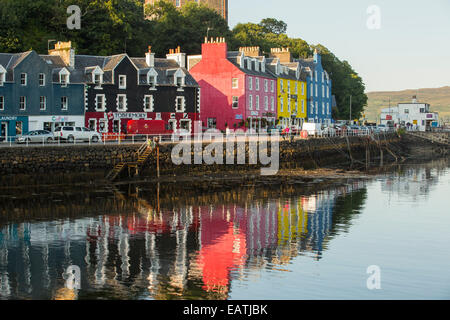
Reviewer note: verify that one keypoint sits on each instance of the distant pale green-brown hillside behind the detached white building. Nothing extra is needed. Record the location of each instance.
(438, 98)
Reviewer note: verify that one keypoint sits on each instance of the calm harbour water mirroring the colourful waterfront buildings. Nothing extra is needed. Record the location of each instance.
(172, 242)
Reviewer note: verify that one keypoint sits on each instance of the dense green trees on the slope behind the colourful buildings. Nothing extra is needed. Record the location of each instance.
(115, 26)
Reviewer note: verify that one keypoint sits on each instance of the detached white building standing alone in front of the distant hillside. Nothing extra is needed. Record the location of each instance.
(415, 115)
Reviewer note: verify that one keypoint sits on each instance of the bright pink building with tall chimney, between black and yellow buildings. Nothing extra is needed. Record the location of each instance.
(236, 89)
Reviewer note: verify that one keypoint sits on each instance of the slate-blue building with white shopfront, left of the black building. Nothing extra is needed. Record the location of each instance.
(38, 92)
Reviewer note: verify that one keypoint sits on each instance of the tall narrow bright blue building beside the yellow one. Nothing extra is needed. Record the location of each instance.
(319, 97)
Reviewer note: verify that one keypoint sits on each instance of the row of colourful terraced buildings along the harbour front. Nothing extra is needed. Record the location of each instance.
(223, 89)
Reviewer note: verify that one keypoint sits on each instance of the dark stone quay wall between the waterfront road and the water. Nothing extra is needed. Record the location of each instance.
(82, 163)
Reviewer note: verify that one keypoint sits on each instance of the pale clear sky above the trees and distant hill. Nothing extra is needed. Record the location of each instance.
(409, 50)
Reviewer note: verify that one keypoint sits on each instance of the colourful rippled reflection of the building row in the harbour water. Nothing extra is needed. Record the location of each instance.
(163, 254)
